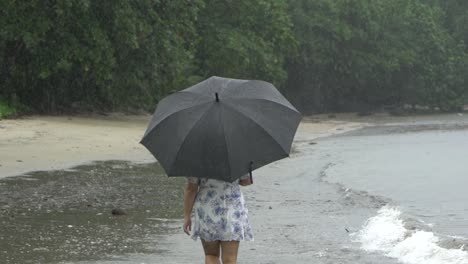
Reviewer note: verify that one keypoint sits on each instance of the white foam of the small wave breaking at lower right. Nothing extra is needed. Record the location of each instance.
(386, 233)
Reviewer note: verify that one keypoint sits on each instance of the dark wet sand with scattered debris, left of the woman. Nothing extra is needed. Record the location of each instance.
(67, 215)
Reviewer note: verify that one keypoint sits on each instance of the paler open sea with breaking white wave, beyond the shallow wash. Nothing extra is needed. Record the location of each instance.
(422, 174)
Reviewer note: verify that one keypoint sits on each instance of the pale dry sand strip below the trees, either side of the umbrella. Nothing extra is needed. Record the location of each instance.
(49, 143)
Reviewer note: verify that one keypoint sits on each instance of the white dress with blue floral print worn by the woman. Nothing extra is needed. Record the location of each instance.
(219, 212)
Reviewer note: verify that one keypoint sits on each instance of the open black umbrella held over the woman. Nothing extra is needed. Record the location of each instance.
(221, 128)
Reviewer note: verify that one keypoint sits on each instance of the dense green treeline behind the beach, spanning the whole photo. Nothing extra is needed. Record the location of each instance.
(325, 55)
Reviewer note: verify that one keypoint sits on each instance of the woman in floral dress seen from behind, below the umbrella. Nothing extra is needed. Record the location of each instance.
(220, 217)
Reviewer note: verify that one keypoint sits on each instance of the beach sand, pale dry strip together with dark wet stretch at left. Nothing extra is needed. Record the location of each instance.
(54, 212)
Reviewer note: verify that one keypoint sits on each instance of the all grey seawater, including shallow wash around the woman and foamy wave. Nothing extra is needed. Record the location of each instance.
(380, 195)
